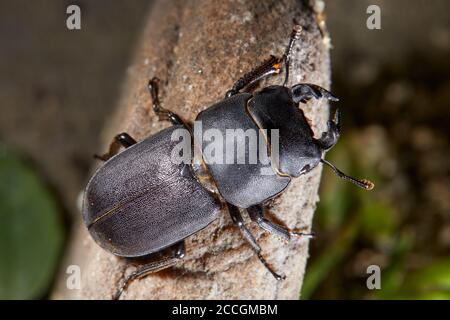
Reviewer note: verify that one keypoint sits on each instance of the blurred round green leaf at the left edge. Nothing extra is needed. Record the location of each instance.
(31, 231)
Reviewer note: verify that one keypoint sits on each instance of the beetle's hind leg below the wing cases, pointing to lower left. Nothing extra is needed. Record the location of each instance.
(178, 252)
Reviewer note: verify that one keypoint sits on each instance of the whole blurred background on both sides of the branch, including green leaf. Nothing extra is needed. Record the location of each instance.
(58, 87)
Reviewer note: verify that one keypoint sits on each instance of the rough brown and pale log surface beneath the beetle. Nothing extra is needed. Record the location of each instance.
(199, 48)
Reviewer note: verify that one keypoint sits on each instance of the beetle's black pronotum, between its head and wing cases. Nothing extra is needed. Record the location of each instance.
(247, 184)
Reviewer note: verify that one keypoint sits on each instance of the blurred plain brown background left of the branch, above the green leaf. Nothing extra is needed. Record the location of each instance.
(59, 86)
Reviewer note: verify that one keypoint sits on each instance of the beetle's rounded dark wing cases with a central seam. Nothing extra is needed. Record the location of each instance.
(140, 202)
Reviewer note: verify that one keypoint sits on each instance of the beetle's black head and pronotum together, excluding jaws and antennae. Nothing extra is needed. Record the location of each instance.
(244, 185)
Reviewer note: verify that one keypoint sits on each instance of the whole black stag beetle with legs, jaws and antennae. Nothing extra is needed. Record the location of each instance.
(140, 202)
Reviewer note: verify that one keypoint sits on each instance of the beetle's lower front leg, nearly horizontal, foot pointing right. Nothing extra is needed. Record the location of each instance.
(256, 214)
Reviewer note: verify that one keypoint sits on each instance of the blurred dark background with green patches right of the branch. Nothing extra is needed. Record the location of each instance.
(394, 86)
